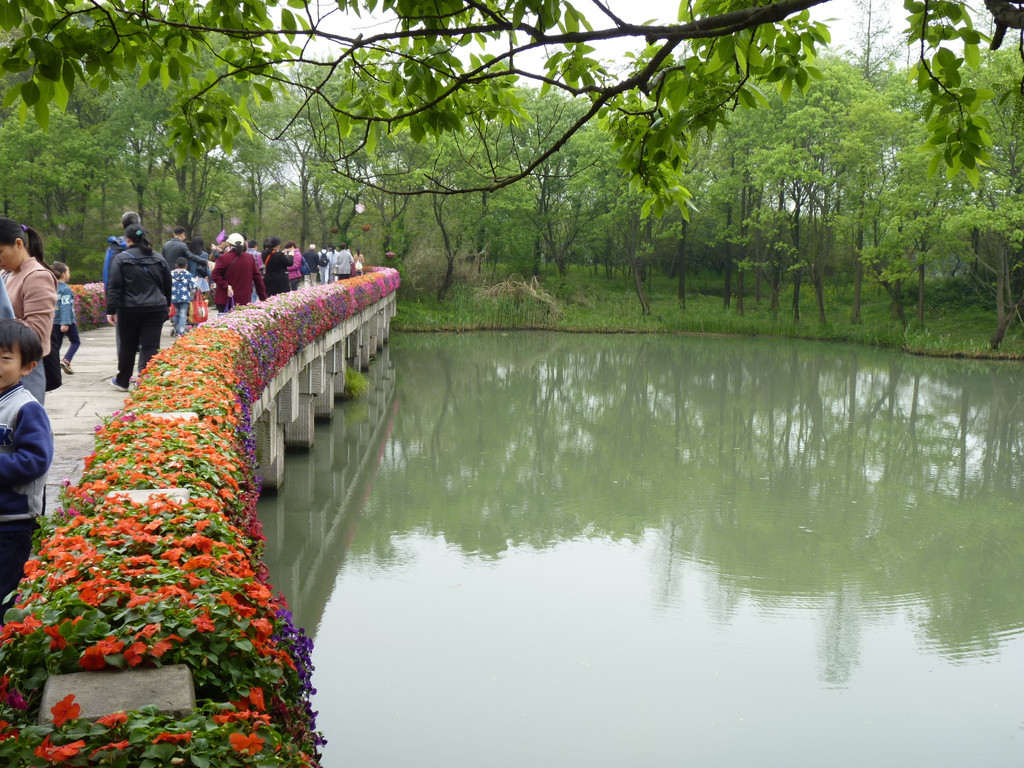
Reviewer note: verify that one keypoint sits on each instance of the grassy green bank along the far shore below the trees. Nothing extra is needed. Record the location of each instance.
(957, 324)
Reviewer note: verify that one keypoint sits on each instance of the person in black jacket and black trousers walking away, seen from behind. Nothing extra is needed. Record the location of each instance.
(138, 303)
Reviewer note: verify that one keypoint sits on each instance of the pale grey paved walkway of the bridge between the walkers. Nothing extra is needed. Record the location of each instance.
(82, 403)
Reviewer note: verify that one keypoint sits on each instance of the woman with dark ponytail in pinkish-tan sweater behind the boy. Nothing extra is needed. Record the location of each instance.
(32, 289)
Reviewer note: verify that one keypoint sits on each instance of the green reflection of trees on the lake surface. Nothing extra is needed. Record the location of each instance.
(850, 480)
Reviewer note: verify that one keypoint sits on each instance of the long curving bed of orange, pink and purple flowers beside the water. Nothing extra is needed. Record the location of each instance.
(125, 585)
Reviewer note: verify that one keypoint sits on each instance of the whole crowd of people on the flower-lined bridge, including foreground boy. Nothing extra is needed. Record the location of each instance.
(144, 288)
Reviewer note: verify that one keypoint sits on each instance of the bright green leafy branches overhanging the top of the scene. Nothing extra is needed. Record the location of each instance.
(228, 58)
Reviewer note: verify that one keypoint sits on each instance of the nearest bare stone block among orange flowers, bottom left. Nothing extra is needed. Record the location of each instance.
(170, 690)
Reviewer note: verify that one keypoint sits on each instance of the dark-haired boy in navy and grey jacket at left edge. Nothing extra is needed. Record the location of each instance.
(26, 453)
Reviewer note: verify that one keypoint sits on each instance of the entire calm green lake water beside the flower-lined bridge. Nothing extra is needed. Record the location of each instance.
(591, 551)
